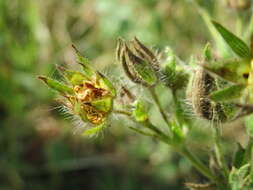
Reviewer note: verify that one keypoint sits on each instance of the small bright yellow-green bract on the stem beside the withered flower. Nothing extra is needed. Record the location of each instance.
(140, 111)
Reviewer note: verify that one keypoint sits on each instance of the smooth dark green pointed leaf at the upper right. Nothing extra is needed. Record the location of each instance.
(235, 43)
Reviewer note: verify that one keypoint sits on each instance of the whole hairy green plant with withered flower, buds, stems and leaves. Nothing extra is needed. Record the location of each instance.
(214, 89)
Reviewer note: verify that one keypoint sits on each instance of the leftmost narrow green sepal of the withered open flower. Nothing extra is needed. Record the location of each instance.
(56, 85)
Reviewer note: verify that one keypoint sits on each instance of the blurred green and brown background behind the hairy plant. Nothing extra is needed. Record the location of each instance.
(40, 148)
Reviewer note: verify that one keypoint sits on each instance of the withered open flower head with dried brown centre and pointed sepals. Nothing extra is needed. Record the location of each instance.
(88, 94)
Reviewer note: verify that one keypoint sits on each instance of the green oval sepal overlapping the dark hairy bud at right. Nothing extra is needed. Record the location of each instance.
(228, 93)
